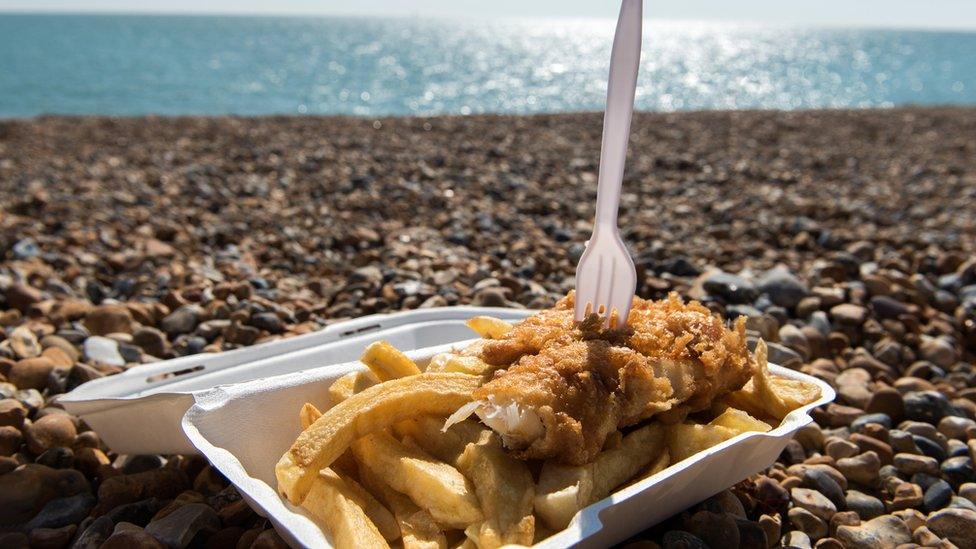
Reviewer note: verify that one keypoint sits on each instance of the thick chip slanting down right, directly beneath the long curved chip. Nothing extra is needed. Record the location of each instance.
(433, 485)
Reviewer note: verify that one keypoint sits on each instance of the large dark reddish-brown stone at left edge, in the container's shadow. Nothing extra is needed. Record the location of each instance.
(25, 490)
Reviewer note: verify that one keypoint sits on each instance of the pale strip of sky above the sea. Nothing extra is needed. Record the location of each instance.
(960, 14)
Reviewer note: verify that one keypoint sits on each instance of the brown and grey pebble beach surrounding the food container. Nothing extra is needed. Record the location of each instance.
(847, 239)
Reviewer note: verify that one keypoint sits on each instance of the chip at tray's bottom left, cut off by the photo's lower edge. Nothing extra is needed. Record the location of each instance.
(336, 506)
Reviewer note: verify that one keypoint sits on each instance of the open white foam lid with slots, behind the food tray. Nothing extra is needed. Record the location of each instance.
(139, 411)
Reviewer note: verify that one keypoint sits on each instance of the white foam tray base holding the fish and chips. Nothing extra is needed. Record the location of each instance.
(244, 429)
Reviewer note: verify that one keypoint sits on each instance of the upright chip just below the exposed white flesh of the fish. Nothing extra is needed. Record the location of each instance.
(505, 489)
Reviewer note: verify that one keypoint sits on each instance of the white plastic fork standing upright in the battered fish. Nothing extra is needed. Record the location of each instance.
(605, 277)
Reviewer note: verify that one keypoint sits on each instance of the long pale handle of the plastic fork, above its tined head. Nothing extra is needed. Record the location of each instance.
(624, 62)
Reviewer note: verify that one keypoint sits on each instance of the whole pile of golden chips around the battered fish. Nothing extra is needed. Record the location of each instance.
(431, 488)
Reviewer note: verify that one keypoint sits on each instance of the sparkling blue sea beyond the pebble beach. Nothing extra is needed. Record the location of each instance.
(133, 65)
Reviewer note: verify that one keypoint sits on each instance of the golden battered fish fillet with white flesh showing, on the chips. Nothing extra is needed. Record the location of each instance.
(562, 387)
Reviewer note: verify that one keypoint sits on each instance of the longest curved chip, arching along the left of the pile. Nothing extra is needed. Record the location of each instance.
(372, 410)
